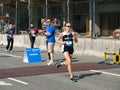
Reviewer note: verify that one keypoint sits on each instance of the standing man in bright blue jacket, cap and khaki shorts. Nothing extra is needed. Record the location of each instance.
(50, 40)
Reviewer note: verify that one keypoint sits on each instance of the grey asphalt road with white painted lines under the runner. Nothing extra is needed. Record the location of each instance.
(88, 79)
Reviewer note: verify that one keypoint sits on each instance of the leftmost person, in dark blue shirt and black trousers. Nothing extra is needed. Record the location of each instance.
(10, 38)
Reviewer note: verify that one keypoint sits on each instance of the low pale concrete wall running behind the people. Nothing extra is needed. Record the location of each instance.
(86, 46)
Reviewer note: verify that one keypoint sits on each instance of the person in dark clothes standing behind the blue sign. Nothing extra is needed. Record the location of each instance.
(32, 34)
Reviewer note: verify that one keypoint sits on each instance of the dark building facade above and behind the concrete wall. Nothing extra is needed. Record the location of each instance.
(87, 16)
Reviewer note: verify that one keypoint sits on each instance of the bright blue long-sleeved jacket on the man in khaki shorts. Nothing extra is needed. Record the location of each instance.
(50, 30)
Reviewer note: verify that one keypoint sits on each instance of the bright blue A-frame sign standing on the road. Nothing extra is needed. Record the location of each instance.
(32, 55)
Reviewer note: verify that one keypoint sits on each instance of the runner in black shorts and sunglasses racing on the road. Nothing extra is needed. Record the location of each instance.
(67, 36)
